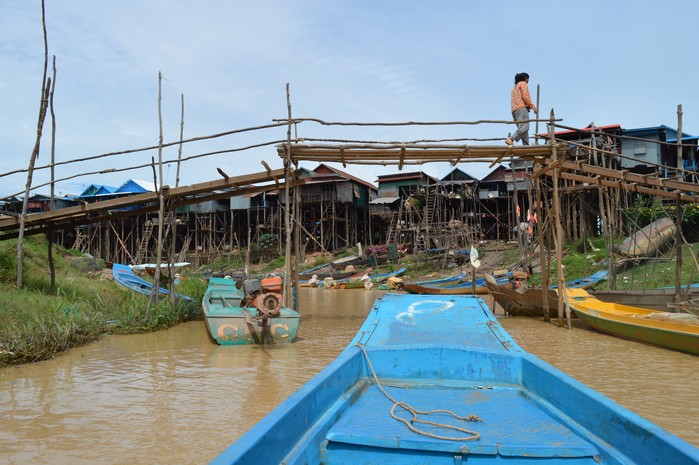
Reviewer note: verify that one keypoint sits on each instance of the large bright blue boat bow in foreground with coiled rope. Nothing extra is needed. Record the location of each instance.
(437, 380)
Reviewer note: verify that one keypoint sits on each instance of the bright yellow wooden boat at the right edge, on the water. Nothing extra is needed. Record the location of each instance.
(679, 331)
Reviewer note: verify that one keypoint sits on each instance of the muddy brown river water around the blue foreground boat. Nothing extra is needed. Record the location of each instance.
(176, 397)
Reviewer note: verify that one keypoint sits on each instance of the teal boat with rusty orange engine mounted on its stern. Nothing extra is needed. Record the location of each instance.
(252, 315)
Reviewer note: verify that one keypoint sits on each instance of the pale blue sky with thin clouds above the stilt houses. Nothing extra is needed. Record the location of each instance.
(622, 62)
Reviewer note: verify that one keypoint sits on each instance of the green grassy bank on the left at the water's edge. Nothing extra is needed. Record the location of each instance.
(37, 322)
